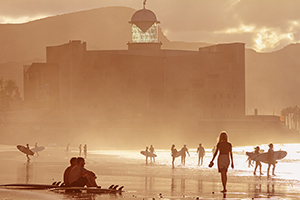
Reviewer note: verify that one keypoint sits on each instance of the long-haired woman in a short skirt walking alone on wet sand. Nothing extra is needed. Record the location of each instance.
(225, 155)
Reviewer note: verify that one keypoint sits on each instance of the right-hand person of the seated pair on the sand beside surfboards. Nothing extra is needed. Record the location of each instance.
(80, 177)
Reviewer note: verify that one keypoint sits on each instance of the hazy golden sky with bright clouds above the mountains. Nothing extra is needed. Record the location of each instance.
(264, 25)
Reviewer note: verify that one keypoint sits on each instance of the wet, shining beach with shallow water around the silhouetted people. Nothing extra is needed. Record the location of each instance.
(156, 180)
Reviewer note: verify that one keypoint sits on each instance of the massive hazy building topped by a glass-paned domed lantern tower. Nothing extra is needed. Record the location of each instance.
(146, 83)
